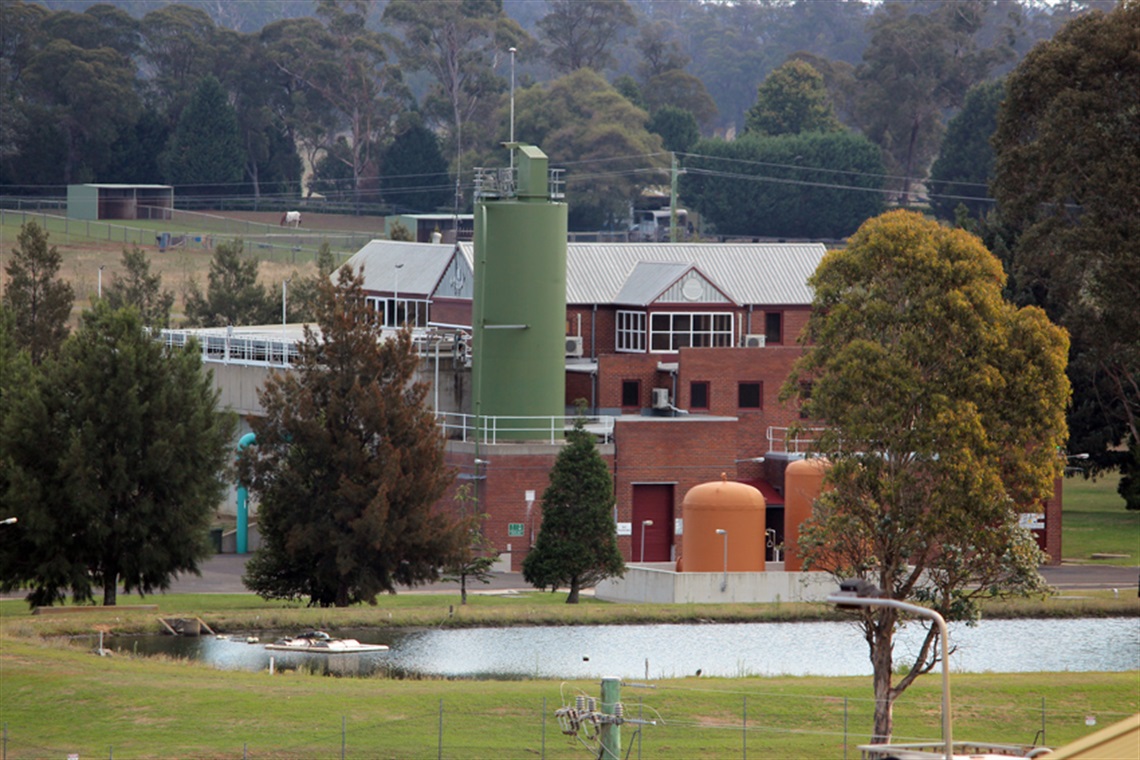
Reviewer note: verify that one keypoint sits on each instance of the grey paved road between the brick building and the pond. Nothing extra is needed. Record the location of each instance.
(223, 574)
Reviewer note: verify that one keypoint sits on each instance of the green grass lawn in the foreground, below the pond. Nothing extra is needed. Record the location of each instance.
(136, 708)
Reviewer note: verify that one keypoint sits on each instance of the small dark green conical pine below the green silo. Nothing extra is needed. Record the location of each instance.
(577, 543)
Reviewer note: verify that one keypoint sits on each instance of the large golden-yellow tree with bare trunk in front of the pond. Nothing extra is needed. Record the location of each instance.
(944, 407)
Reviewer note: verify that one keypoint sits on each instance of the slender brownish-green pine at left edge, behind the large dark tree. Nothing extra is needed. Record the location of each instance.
(40, 303)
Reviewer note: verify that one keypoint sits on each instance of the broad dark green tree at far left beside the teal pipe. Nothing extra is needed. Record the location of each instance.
(113, 461)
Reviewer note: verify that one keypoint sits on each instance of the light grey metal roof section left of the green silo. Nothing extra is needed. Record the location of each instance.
(421, 266)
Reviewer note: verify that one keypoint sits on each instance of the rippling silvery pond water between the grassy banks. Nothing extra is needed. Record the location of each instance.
(652, 652)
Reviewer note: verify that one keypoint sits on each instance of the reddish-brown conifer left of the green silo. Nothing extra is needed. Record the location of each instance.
(348, 465)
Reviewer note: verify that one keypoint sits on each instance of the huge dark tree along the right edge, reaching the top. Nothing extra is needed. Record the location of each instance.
(1069, 157)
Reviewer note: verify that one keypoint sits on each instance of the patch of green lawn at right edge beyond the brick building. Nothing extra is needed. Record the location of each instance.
(1095, 522)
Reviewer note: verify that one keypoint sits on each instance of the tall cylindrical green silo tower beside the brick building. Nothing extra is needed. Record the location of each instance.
(519, 309)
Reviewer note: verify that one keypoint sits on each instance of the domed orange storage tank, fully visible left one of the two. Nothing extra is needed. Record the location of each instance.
(734, 508)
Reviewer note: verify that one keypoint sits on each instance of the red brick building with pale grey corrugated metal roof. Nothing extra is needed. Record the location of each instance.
(679, 352)
